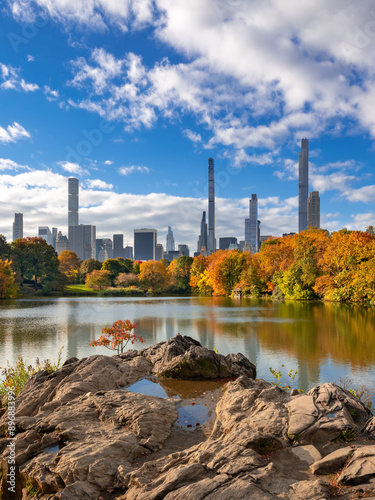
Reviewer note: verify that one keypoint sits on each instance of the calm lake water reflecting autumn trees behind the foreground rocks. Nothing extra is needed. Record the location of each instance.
(323, 341)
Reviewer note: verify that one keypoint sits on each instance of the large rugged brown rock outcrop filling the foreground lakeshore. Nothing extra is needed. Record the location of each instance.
(80, 435)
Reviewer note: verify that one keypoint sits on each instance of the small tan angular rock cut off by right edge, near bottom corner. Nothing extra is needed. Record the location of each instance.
(361, 468)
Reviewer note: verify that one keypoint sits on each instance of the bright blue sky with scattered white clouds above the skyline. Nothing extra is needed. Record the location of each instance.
(133, 96)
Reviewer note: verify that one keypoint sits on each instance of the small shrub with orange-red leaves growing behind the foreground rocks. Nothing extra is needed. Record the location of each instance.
(117, 337)
